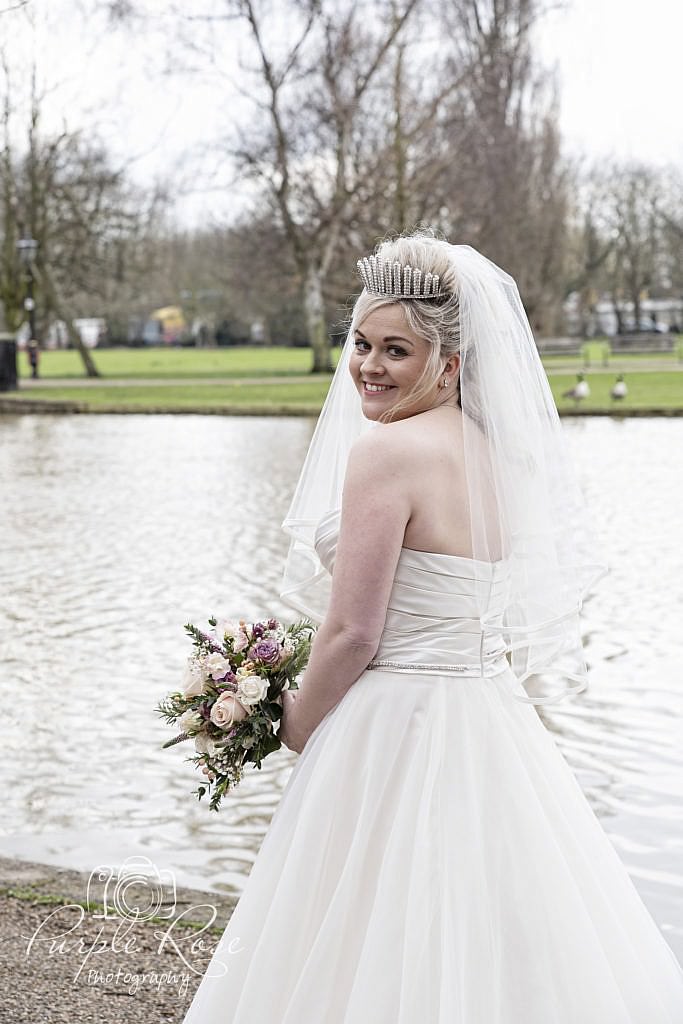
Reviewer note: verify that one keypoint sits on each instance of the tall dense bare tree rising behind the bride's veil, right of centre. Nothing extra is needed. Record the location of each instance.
(503, 184)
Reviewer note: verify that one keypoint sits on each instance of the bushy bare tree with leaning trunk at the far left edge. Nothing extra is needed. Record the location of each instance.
(63, 191)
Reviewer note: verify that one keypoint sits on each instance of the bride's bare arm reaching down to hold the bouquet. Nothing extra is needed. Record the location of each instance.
(376, 508)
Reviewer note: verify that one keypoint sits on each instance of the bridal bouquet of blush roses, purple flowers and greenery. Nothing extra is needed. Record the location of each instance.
(232, 695)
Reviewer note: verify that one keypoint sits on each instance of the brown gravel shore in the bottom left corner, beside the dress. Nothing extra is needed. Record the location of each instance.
(73, 950)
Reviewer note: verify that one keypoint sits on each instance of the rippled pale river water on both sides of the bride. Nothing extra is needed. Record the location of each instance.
(119, 530)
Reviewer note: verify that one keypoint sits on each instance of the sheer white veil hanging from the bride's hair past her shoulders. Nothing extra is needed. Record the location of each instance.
(526, 504)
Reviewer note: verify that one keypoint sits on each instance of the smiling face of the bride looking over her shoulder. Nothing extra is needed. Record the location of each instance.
(387, 363)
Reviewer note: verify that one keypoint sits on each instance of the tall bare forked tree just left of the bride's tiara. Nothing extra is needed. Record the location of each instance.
(312, 97)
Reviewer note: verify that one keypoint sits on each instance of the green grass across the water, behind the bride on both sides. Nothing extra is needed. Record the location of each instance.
(275, 381)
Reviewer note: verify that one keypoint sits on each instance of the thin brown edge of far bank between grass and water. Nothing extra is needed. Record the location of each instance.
(32, 406)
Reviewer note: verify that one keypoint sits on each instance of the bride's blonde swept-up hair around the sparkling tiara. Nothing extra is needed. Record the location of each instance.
(438, 321)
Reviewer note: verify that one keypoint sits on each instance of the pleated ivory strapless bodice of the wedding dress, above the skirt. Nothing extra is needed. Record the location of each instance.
(433, 618)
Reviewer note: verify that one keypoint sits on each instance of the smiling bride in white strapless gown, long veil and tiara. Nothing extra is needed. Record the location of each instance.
(434, 860)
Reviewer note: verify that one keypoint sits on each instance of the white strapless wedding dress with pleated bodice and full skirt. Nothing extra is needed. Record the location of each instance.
(434, 860)
